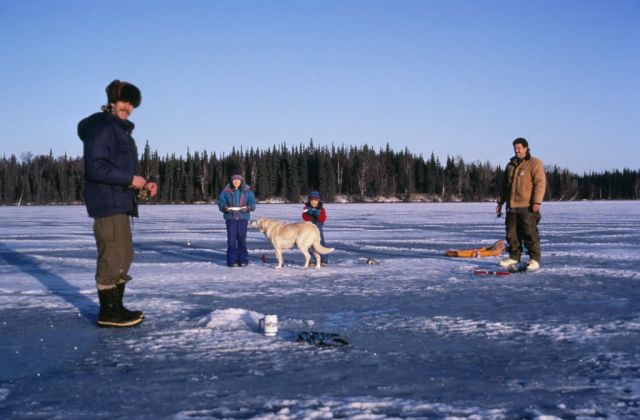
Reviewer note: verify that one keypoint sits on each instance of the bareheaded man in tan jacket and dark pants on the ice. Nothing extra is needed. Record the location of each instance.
(523, 191)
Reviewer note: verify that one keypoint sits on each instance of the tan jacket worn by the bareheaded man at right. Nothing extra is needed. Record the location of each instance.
(524, 183)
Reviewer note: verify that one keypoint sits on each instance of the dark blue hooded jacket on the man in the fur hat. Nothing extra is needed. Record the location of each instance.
(110, 162)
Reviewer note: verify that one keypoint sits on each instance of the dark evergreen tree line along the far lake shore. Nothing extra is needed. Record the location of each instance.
(283, 173)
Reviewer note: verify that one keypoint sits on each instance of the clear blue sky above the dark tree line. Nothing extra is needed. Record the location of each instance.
(453, 77)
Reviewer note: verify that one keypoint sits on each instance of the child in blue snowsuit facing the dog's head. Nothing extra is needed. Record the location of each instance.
(236, 201)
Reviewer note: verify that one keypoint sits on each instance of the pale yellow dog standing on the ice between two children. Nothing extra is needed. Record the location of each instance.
(284, 236)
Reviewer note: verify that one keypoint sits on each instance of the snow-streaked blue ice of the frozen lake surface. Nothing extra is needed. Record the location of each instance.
(429, 338)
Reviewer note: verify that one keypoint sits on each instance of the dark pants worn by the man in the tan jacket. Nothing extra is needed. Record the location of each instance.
(522, 228)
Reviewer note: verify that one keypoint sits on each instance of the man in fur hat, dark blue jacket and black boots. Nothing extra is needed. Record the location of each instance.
(111, 188)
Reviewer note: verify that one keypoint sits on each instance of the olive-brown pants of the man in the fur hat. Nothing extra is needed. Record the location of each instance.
(115, 250)
